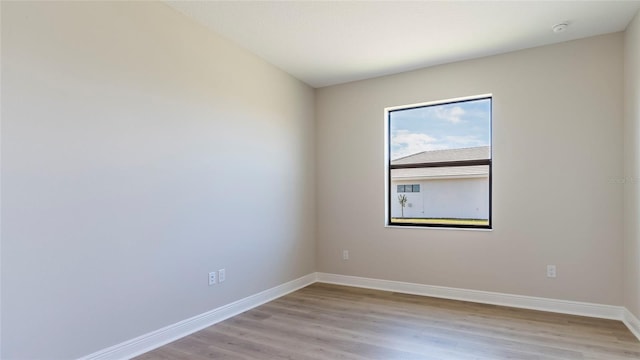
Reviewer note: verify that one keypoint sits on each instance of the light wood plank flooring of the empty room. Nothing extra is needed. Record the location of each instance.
(325, 321)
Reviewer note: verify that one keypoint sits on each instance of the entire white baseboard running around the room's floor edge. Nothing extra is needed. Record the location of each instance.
(155, 339)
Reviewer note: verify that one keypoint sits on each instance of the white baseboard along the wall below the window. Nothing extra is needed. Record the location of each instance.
(483, 297)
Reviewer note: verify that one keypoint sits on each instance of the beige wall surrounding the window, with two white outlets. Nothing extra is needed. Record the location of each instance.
(557, 150)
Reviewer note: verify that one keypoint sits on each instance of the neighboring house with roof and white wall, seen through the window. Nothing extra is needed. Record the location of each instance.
(460, 192)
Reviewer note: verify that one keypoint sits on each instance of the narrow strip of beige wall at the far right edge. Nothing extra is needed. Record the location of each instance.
(632, 169)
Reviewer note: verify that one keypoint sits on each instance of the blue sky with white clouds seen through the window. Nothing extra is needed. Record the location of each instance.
(438, 127)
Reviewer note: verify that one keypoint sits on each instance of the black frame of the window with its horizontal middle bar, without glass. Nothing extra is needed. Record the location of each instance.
(487, 162)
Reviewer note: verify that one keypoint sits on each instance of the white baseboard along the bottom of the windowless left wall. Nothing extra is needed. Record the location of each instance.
(155, 339)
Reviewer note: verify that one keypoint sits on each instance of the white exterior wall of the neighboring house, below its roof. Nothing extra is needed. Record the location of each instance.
(444, 198)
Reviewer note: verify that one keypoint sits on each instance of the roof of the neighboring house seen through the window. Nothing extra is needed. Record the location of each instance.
(473, 153)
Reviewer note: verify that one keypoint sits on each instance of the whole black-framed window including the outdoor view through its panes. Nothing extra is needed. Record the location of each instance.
(438, 164)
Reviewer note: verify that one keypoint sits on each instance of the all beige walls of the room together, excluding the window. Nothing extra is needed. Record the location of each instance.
(140, 151)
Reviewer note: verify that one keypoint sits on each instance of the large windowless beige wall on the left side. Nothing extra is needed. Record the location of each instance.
(140, 152)
